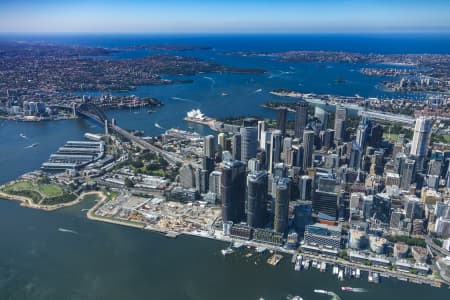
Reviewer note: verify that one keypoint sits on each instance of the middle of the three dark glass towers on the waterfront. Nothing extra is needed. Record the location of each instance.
(257, 199)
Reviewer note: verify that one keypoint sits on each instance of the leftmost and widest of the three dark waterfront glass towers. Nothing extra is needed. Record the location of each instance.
(232, 191)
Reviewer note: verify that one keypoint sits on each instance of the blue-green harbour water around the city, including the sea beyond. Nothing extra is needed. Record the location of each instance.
(92, 260)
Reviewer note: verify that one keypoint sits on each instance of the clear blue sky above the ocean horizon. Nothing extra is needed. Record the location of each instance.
(202, 16)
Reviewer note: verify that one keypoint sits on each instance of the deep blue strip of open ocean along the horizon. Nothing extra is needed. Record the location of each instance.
(364, 43)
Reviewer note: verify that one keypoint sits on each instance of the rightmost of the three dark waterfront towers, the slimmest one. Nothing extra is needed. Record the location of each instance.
(281, 211)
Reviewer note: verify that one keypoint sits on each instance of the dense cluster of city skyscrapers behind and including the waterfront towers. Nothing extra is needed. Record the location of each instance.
(278, 181)
